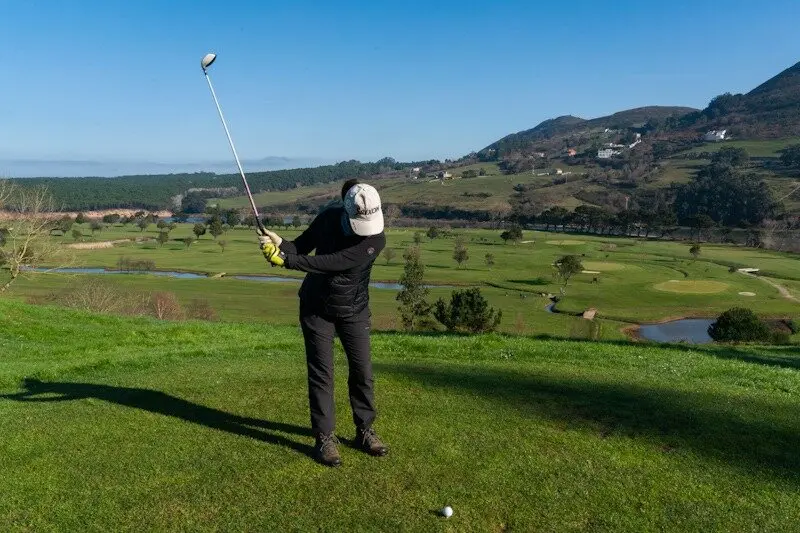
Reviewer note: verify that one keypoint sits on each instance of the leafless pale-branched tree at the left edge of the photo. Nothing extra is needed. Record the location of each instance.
(26, 243)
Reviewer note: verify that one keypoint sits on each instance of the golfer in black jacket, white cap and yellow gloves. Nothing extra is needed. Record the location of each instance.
(334, 299)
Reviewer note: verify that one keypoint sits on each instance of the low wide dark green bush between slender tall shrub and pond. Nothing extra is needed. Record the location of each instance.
(468, 311)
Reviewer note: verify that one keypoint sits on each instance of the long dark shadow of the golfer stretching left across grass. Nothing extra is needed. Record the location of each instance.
(165, 404)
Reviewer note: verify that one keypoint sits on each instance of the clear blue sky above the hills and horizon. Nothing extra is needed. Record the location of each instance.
(120, 80)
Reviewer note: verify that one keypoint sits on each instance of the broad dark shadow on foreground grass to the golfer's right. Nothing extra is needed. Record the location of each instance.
(740, 432)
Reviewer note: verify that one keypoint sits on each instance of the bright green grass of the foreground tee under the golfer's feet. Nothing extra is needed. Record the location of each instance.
(138, 425)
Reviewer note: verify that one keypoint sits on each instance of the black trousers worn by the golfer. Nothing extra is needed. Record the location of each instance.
(318, 333)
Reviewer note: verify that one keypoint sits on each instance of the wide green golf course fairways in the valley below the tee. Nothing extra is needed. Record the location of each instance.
(636, 280)
